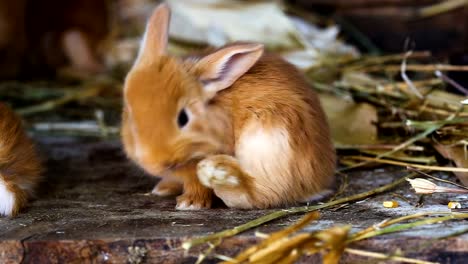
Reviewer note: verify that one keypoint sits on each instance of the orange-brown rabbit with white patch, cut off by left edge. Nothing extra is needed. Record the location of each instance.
(19, 166)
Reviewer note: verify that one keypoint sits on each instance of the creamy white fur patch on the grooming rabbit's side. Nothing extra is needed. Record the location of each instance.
(265, 154)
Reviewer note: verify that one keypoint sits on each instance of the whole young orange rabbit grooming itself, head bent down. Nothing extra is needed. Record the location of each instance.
(237, 122)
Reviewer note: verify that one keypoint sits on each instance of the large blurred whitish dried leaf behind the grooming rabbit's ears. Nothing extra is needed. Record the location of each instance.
(218, 22)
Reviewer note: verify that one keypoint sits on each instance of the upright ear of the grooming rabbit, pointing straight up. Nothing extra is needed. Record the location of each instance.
(154, 42)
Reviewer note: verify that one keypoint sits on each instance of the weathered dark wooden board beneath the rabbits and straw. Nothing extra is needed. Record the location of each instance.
(93, 208)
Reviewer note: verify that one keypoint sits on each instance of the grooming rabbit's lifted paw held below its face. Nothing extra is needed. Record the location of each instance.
(218, 171)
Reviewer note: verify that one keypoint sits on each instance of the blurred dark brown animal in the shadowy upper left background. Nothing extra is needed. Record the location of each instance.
(40, 36)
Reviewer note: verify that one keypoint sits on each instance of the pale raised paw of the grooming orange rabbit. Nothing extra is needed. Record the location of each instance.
(210, 174)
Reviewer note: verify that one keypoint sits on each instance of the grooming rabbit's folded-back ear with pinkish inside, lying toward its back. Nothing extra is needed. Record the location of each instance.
(221, 69)
